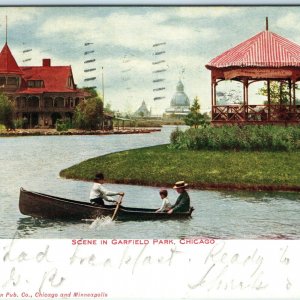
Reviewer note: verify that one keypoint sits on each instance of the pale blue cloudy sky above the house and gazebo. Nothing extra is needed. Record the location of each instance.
(122, 39)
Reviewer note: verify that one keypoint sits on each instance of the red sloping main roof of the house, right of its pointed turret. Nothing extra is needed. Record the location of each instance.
(55, 79)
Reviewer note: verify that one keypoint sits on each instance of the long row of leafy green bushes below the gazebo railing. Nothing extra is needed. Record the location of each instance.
(250, 138)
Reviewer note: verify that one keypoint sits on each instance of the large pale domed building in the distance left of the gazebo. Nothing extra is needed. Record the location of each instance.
(180, 103)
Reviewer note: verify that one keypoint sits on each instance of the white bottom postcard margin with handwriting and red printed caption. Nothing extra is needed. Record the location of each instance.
(197, 268)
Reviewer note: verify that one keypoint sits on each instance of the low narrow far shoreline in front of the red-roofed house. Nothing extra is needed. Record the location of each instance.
(53, 132)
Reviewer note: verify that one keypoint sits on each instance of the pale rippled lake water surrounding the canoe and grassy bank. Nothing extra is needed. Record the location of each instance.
(35, 162)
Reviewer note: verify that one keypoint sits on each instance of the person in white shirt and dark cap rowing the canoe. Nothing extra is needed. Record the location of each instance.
(98, 192)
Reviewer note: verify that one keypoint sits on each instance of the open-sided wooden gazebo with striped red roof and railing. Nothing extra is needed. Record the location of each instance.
(264, 57)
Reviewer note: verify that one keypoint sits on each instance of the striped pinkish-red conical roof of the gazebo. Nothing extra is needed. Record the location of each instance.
(265, 49)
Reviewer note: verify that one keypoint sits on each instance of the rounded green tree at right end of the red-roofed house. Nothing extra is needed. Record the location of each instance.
(88, 114)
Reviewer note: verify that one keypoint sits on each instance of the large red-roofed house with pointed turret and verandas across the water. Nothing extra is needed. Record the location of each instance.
(41, 94)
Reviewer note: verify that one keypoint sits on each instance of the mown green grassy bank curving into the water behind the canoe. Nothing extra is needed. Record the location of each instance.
(162, 166)
